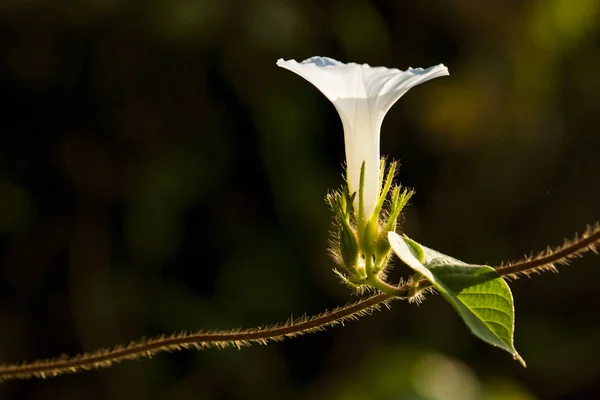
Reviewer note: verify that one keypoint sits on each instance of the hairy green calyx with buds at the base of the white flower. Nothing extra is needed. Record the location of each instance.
(359, 245)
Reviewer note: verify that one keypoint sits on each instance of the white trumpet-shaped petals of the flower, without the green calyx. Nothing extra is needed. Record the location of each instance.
(362, 96)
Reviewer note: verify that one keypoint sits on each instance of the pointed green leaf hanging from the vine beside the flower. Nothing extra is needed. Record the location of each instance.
(477, 292)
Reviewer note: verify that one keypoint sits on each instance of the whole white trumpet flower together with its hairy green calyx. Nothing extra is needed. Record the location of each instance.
(362, 96)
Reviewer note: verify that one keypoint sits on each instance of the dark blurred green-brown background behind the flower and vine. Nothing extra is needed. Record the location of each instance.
(159, 173)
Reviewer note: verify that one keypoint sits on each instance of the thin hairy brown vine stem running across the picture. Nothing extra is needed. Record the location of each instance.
(104, 358)
